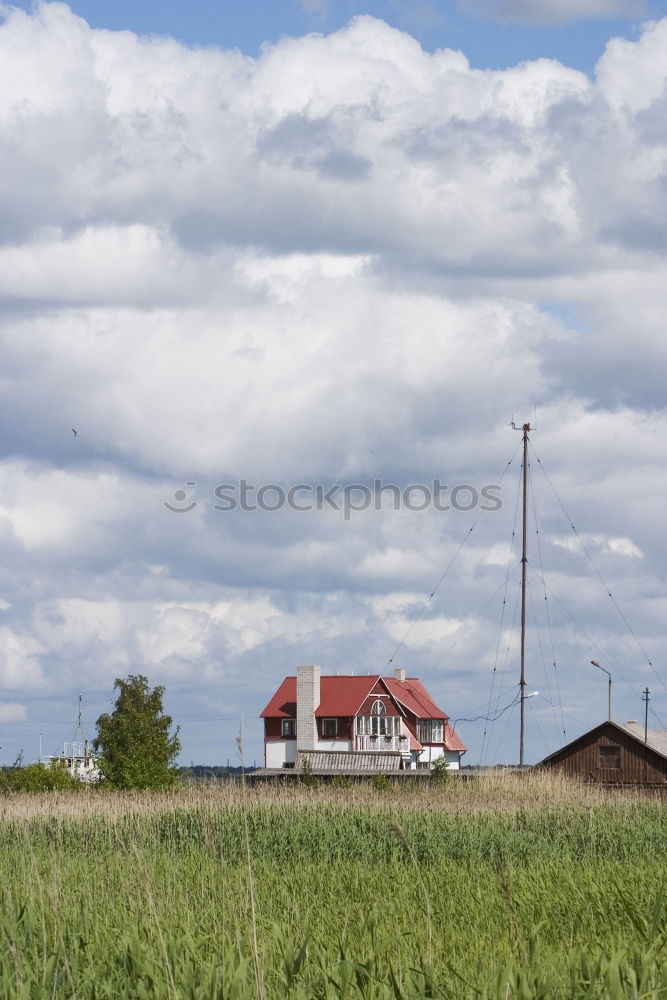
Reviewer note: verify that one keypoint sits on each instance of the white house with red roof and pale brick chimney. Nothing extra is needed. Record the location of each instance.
(356, 724)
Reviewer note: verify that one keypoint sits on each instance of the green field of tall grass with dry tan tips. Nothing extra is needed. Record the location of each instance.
(505, 887)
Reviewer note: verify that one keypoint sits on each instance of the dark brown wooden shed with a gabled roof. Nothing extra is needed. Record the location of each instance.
(614, 753)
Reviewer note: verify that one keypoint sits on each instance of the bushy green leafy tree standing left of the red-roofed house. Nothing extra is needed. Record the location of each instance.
(134, 745)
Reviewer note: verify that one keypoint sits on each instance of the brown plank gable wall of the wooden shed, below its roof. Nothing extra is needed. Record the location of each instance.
(582, 759)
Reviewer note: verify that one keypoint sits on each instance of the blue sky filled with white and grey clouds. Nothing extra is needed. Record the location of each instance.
(327, 246)
